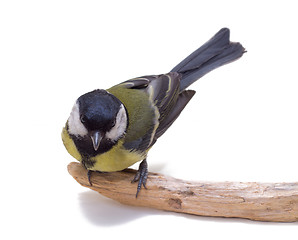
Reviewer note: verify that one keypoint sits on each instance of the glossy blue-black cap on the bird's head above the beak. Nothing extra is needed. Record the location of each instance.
(98, 110)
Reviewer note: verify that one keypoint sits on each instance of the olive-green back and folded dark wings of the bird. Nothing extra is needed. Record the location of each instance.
(155, 105)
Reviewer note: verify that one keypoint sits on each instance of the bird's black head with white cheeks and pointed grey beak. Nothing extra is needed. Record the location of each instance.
(97, 121)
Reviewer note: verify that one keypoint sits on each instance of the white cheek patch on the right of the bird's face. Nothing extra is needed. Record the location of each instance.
(120, 126)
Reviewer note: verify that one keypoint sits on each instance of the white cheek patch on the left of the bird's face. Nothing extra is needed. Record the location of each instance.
(75, 126)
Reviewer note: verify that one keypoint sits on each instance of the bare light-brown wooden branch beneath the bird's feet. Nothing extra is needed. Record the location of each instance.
(276, 202)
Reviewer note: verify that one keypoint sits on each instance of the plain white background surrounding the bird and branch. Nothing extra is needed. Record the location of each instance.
(240, 126)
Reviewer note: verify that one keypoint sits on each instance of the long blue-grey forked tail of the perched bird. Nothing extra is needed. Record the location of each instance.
(216, 52)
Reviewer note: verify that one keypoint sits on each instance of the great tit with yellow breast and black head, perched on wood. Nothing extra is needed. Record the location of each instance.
(110, 130)
